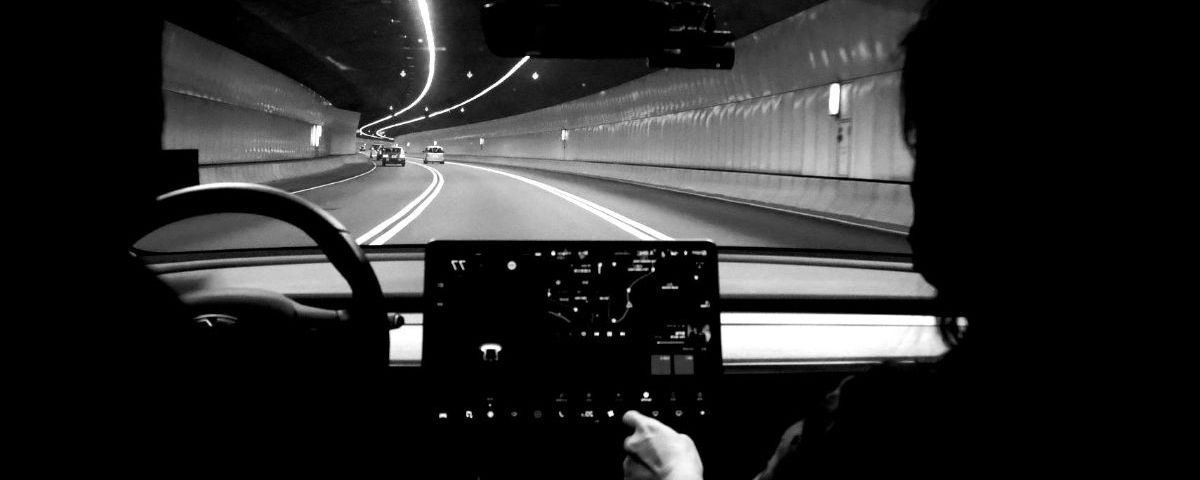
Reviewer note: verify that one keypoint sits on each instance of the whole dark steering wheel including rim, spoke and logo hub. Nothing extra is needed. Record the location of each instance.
(241, 320)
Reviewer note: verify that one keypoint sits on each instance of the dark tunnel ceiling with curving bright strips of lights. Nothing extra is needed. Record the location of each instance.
(353, 52)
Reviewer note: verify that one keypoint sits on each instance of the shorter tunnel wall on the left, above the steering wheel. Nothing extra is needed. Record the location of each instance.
(249, 123)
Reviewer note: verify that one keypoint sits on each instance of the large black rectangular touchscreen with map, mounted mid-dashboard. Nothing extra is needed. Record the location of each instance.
(572, 333)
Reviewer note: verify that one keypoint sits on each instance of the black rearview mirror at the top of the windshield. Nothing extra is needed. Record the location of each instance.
(668, 34)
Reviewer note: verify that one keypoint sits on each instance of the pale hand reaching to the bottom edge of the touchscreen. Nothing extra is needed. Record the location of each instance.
(657, 452)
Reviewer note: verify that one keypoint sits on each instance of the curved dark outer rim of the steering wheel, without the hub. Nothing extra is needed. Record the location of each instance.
(368, 323)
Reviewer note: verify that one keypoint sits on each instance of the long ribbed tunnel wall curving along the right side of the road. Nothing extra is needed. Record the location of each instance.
(760, 133)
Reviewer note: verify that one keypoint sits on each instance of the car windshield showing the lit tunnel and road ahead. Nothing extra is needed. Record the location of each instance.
(797, 147)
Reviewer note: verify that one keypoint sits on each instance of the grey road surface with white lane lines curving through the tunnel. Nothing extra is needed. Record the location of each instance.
(413, 205)
